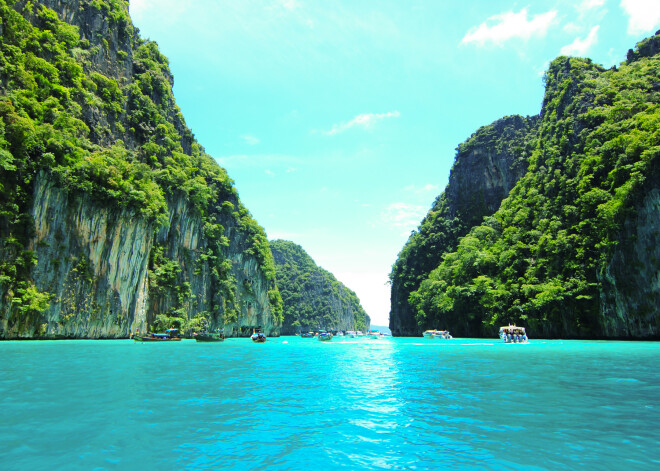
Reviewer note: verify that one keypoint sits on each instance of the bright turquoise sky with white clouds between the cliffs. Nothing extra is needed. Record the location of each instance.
(338, 120)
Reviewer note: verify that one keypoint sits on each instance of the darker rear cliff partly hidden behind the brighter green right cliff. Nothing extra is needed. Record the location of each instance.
(487, 166)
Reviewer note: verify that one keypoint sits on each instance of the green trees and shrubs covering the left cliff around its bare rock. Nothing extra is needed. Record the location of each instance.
(93, 109)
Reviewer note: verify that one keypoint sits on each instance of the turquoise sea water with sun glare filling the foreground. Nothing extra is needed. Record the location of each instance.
(294, 404)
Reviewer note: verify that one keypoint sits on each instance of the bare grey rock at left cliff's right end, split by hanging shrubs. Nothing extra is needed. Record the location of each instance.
(187, 245)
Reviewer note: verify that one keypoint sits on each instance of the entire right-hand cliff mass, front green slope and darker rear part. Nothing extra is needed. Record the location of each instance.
(572, 251)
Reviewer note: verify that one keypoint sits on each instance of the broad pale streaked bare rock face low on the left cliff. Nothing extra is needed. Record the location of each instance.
(94, 263)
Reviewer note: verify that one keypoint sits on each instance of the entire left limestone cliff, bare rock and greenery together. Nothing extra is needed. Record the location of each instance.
(113, 218)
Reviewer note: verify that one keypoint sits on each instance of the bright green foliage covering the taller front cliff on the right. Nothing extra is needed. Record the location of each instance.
(540, 259)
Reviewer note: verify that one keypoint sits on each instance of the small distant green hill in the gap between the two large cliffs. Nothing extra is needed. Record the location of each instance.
(312, 297)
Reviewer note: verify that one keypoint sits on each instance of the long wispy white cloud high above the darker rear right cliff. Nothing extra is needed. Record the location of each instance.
(505, 26)
